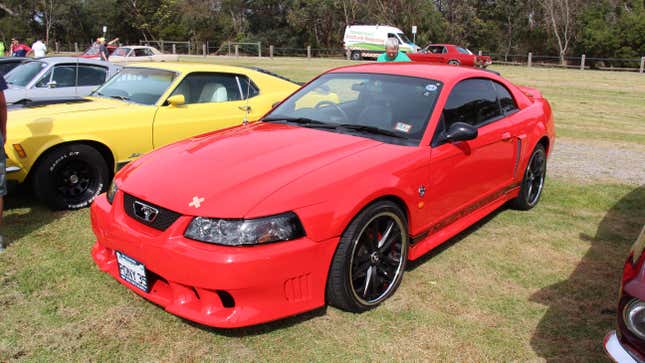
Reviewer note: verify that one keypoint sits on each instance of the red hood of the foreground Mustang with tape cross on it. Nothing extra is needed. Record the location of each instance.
(230, 171)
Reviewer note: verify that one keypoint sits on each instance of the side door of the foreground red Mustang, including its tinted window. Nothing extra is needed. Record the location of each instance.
(470, 174)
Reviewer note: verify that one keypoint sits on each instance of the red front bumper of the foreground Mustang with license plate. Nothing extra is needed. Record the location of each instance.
(219, 286)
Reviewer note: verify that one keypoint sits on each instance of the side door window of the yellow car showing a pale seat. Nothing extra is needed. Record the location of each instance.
(208, 88)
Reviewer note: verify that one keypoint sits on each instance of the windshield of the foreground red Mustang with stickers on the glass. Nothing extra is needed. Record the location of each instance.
(394, 107)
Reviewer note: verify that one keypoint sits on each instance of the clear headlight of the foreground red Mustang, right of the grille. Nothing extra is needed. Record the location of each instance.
(238, 232)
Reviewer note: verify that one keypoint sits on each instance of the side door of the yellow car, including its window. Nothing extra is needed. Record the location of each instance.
(212, 101)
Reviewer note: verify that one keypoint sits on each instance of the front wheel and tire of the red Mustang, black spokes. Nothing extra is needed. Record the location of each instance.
(369, 262)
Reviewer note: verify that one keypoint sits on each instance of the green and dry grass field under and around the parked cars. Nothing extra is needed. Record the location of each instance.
(518, 286)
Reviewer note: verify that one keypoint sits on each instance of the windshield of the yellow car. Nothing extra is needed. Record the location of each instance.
(139, 85)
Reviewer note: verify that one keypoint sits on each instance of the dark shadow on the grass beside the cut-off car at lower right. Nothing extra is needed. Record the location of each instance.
(582, 309)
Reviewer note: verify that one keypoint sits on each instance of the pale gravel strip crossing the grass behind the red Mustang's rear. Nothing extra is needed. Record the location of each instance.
(587, 161)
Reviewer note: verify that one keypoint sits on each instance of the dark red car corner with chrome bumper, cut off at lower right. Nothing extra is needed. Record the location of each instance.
(627, 342)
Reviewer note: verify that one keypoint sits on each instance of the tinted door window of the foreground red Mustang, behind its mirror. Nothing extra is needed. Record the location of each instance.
(473, 101)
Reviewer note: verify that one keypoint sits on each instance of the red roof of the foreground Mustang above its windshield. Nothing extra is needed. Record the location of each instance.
(439, 72)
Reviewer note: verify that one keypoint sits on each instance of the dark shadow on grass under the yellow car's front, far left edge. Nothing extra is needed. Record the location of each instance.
(23, 214)
